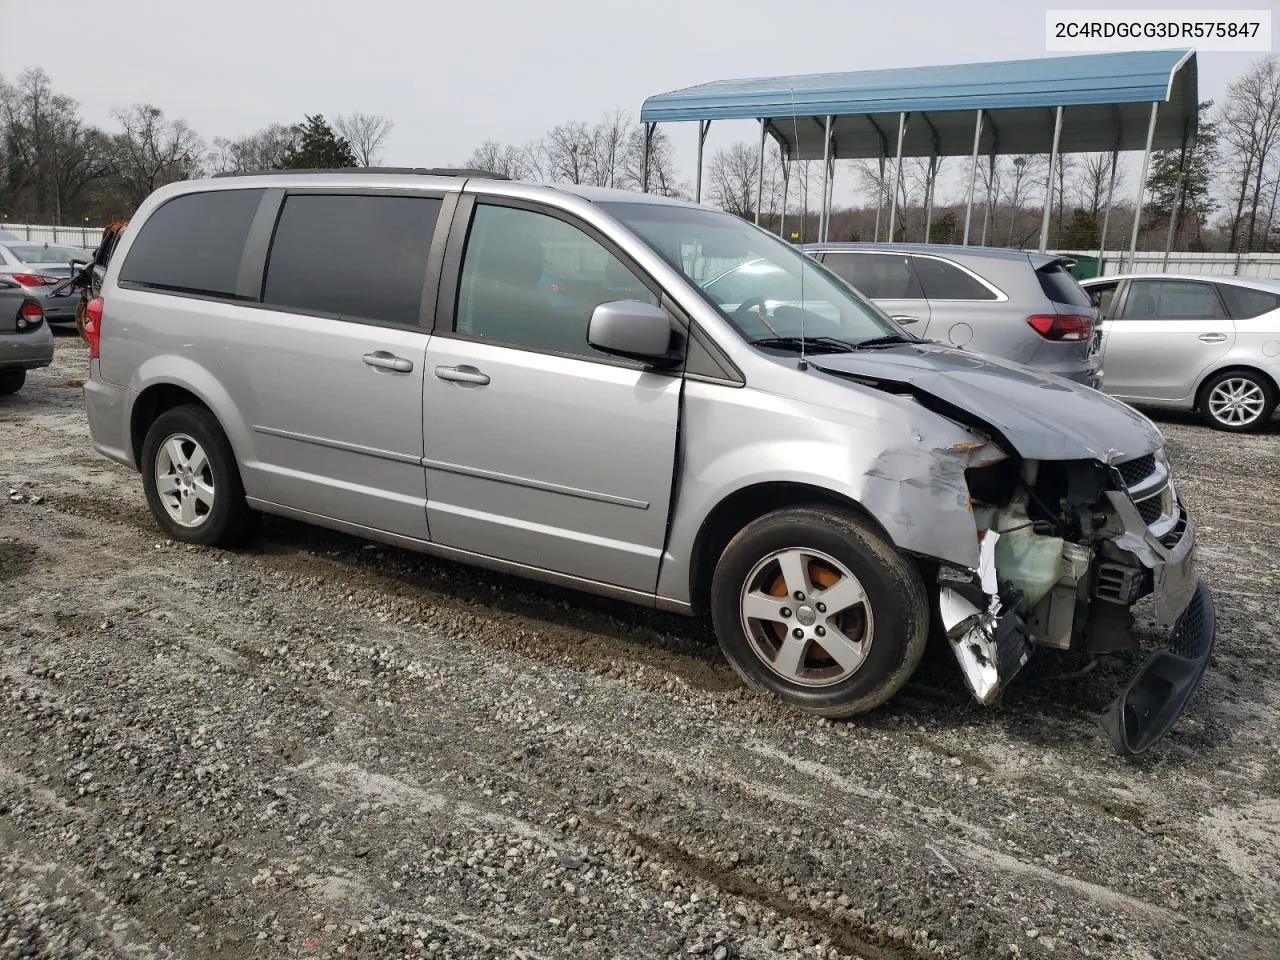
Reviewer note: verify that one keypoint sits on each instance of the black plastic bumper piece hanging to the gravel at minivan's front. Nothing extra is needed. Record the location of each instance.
(1163, 688)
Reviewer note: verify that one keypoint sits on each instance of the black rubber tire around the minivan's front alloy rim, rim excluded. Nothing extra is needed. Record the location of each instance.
(894, 593)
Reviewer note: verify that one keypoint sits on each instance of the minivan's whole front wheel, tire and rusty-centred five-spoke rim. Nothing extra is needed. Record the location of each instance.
(813, 606)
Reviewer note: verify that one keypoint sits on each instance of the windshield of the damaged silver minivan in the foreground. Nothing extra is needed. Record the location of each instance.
(767, 289)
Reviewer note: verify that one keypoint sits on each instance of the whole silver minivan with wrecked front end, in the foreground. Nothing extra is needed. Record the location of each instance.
(545, 381)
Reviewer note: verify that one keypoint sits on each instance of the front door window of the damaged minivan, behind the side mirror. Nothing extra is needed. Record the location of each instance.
(533, 281)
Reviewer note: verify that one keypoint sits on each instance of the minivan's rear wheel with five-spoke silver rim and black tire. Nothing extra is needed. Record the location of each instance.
(191, 479)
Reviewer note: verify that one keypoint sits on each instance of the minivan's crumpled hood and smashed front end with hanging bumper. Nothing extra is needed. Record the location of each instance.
(1077, 519)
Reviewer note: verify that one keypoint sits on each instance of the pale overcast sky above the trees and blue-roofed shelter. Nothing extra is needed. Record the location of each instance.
(452, 75)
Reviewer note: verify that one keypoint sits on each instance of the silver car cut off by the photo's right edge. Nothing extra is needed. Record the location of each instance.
(1208, 344)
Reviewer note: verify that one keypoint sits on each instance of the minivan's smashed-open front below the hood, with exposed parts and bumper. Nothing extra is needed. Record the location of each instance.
(1067, 550)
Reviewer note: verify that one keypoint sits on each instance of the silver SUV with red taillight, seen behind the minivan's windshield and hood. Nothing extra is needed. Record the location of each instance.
(1009, 304)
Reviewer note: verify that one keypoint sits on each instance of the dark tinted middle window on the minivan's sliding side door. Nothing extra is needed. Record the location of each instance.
(359, 257)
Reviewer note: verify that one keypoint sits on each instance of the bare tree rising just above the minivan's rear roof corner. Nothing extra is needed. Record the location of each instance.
(152, 152)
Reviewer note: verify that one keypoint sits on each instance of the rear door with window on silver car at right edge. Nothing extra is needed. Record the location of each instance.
(1163, 337)
